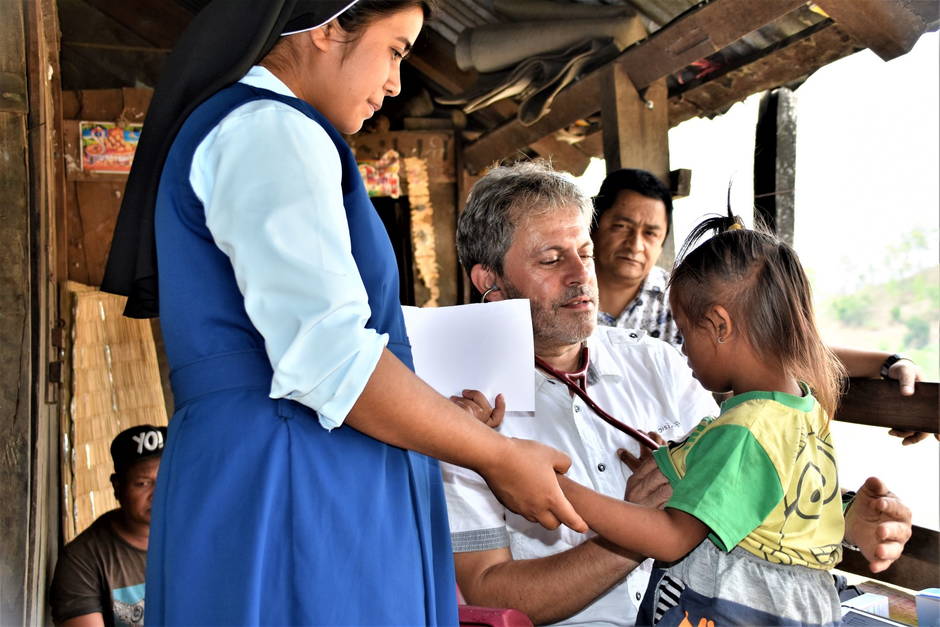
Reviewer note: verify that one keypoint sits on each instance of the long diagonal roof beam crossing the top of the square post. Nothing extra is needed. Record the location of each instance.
(699, 32)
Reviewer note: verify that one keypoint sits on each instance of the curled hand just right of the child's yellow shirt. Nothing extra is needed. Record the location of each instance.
(878, 523)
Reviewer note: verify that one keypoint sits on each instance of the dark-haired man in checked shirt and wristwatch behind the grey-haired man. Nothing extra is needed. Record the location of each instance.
(632, 218)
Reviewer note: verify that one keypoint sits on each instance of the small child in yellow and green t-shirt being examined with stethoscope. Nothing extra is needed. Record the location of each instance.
(755, 520)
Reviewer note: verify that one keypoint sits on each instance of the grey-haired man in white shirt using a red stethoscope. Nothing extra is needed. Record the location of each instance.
(524, 234)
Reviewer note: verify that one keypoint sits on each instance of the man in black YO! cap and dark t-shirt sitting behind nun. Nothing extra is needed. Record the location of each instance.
(99, 578)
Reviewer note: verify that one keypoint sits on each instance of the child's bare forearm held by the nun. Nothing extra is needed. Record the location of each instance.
(666, 535)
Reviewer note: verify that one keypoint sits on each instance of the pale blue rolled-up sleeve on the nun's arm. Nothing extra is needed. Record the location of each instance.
(270, 181)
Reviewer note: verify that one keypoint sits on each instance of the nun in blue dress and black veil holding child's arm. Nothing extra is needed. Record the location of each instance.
(298, 484)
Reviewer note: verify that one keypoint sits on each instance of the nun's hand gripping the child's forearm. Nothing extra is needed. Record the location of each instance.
(523, 478)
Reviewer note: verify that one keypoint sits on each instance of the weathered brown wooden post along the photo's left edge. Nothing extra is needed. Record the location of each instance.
(29, 193)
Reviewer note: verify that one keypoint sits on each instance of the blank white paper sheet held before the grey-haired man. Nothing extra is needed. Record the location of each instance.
(486, 347)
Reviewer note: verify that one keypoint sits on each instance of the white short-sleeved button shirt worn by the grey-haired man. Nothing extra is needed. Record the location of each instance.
(641, 381)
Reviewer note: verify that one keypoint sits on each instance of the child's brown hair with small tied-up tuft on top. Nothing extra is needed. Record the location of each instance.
(759, 280)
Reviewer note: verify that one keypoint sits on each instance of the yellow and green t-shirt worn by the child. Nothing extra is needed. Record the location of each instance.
(762, 476)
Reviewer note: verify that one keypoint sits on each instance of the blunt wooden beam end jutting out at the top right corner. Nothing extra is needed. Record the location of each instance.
(889, 27)
